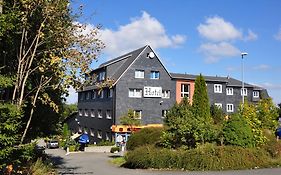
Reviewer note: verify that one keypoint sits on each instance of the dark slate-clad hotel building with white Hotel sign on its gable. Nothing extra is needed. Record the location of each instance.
(142, 83)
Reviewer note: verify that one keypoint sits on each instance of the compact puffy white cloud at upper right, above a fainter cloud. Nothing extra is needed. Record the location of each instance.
(217, 29)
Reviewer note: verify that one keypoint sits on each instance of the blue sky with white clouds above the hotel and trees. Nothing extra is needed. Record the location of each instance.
(195, 36)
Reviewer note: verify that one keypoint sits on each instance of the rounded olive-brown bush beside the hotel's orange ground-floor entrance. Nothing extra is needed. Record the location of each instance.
(144, 137)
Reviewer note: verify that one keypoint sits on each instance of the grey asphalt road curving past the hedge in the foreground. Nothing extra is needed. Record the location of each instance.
(98, 164)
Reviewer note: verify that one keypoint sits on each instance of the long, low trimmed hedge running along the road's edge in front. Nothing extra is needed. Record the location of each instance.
(202, 158)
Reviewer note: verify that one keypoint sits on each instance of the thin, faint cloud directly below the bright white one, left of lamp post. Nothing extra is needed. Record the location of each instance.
(216, 51)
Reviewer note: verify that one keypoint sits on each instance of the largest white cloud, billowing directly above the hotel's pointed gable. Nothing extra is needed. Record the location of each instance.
(144, 30)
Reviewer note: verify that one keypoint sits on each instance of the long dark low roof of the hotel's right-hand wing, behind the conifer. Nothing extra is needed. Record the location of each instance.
(230, 81)
